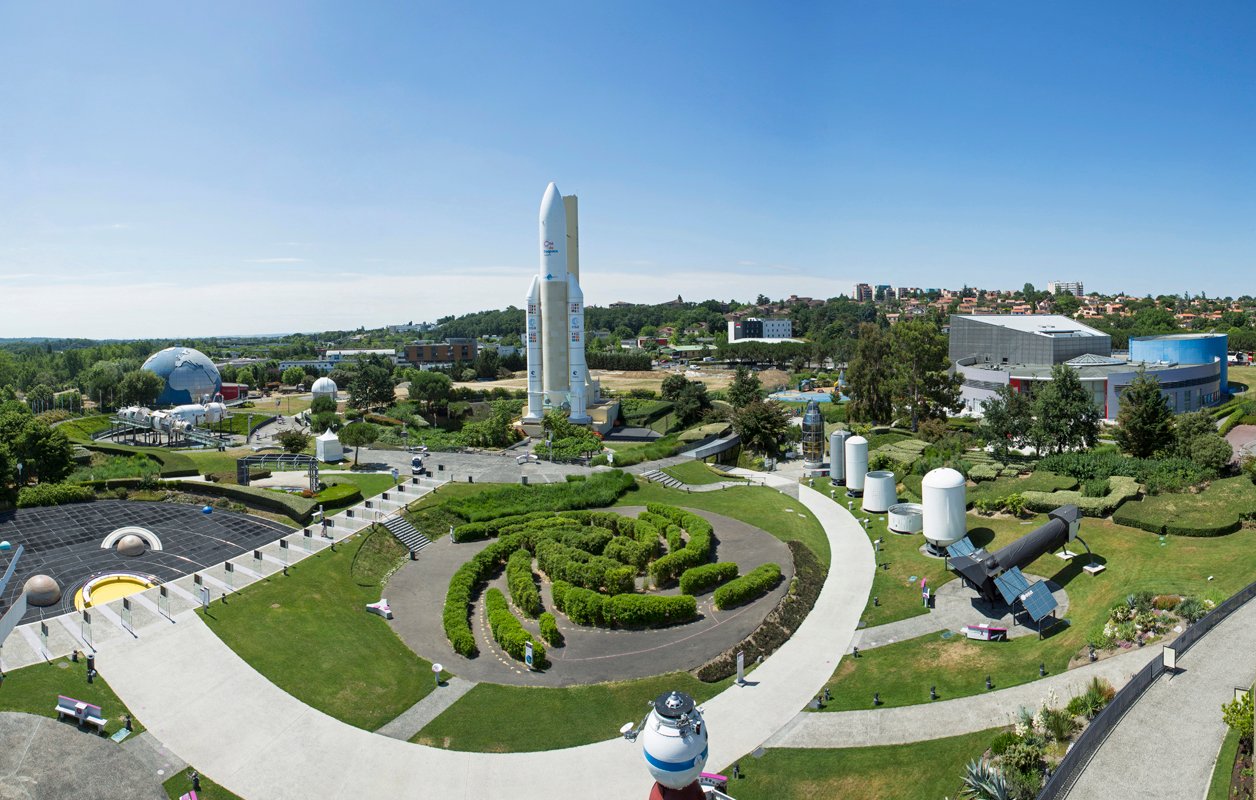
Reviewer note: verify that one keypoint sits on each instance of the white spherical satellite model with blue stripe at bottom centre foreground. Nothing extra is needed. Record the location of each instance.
(675, 742)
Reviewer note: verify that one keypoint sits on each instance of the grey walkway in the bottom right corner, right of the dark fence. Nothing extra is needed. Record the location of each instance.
(1166, 747)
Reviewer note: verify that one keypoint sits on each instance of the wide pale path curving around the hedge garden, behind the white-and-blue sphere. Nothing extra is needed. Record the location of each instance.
(215, 711)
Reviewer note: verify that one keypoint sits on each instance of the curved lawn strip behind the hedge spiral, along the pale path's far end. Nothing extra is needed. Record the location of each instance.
(784, 518)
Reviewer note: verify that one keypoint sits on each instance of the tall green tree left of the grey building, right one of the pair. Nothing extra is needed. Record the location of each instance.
(923, 382)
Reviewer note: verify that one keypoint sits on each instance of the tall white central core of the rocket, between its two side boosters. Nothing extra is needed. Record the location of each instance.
(553, 281)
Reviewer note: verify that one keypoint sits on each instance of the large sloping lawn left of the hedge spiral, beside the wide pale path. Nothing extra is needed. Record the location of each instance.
(310, 635)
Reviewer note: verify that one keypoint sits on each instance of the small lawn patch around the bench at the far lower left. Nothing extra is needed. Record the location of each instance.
(35, 690)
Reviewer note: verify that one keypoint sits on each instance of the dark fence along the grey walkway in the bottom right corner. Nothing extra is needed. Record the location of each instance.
(1083, 750)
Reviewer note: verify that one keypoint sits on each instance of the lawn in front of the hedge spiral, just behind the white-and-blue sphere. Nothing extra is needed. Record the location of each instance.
(516, 719)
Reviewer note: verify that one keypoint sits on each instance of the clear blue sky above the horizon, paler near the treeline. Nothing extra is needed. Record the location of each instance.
(169, 170)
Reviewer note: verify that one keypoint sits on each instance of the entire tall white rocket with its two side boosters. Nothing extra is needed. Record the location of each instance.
(557, 374)
